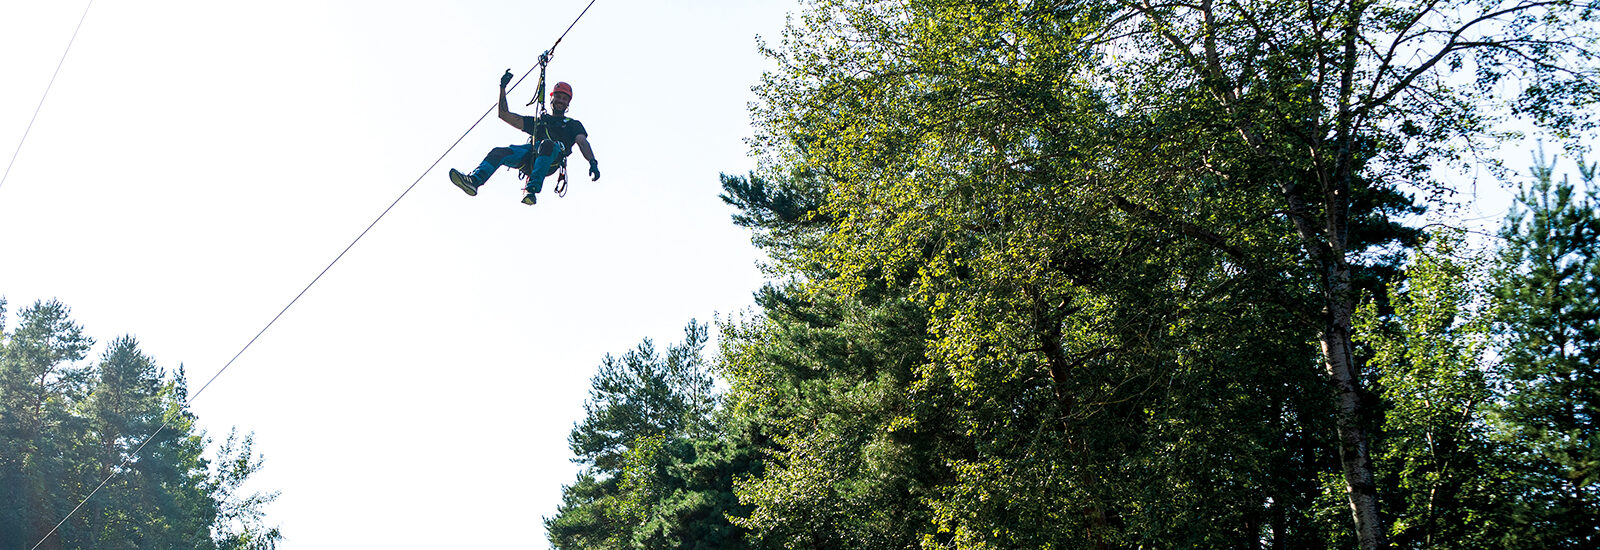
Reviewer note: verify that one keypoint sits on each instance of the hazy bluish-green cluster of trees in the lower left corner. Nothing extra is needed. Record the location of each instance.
(66, 428)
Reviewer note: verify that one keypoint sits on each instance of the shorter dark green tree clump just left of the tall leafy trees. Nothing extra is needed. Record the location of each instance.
(657, 474)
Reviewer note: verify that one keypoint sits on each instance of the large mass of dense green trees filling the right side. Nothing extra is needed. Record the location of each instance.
(1090, 276)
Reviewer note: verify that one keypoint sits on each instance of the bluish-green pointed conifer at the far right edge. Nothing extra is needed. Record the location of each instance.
(1548, 316)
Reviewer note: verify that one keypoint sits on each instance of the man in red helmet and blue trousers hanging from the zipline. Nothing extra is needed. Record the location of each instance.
(553, 138)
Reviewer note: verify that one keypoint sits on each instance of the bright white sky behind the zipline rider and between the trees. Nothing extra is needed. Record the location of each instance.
(199, 162)
